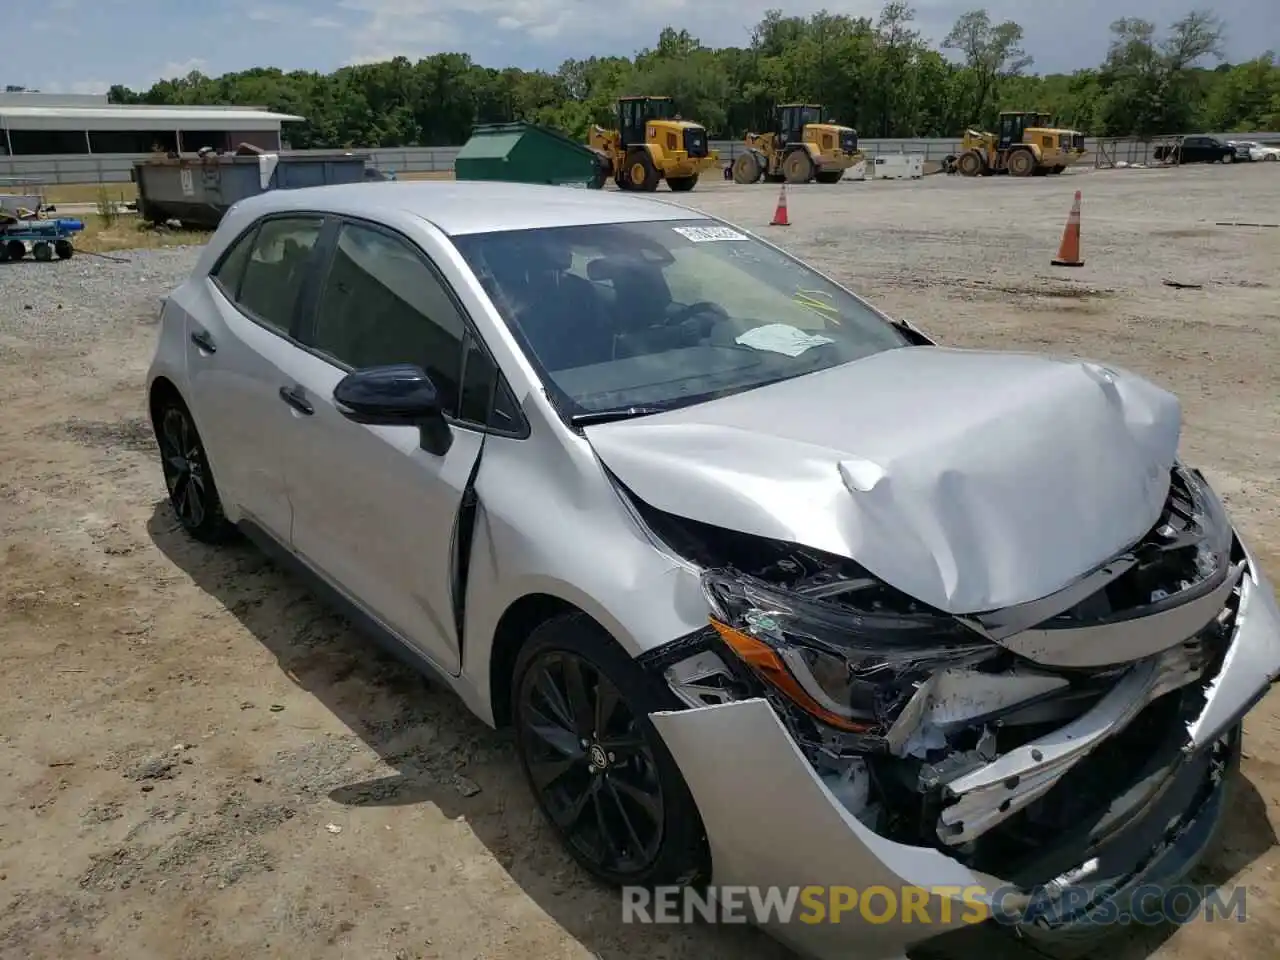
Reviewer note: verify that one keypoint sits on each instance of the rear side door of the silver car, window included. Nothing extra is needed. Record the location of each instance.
(240, 342)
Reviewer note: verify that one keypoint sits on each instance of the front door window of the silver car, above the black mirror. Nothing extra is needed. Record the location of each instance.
(383, 305)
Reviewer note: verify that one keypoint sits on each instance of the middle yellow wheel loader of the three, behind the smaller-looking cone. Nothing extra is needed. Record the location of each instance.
(799, 149)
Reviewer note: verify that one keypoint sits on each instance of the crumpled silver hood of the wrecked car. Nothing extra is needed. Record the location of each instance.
(971, 481)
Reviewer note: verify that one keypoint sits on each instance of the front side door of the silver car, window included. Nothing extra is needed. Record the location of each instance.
(373, 511)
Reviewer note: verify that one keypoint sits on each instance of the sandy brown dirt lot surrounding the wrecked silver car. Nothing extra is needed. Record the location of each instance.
(200, 762)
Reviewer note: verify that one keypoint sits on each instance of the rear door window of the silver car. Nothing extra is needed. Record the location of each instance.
(277, 268)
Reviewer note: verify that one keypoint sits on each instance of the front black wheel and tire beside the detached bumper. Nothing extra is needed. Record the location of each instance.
(604, 778)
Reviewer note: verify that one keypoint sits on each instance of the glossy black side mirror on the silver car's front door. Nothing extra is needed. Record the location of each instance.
(396, 396)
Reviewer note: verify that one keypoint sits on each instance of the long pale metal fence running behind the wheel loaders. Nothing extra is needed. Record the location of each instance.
(116, 168)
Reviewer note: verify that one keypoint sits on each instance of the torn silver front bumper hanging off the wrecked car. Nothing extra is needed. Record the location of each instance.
(774, 820)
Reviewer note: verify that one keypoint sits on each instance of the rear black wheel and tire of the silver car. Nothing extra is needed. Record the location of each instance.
(189, 478)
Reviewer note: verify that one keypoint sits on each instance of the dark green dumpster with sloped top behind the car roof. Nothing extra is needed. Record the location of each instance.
(525, 153)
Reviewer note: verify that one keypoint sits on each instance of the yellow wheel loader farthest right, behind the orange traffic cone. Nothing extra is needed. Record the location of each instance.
(1027, 145)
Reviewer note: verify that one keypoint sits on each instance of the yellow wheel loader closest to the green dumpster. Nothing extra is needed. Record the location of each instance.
(652, 144)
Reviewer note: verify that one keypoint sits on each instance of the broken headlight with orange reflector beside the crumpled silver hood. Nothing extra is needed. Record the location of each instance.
(835, 650)
